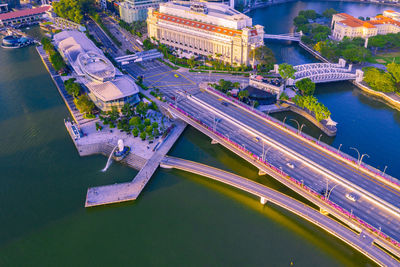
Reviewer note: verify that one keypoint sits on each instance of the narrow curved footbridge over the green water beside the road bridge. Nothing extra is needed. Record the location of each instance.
(361, 241)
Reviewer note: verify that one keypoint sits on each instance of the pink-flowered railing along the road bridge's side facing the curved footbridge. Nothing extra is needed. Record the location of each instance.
(291, 179)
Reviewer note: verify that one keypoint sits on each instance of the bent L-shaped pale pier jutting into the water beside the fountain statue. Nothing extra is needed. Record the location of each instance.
(116, 193)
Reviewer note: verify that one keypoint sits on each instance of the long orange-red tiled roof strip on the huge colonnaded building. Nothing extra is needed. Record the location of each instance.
(198, 25)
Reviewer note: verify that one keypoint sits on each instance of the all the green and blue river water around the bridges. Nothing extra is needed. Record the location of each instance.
(181, 219)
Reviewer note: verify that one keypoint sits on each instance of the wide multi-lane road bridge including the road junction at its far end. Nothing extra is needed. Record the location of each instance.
(296, 160)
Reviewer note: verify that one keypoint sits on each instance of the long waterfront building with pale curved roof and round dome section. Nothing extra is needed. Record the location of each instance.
(107, 86)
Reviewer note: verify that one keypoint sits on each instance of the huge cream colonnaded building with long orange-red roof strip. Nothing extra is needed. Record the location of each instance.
(205, 29)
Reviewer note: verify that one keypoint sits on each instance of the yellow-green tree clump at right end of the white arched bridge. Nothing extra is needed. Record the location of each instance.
(382, 81)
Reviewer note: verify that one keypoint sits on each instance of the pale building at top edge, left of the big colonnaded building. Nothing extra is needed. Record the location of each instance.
(136, 10)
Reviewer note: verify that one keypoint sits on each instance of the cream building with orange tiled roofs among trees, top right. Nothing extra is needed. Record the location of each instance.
(345, 25)
